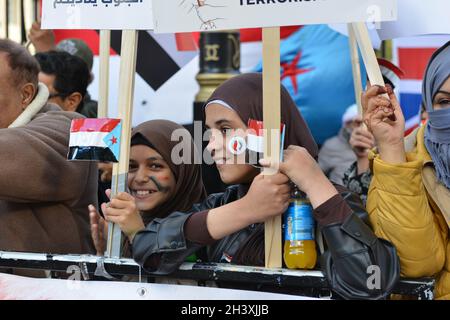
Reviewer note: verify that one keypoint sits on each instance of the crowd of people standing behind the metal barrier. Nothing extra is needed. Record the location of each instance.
(378, 197)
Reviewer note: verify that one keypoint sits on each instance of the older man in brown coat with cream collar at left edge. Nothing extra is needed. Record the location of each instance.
(43, 197)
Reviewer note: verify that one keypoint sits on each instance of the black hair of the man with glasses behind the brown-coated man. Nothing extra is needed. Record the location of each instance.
(71, 73)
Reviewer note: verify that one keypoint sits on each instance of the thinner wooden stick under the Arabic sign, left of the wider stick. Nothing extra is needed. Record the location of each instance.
(105, 47)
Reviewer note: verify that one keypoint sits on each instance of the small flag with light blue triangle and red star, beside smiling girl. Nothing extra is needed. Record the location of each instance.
(95, 140)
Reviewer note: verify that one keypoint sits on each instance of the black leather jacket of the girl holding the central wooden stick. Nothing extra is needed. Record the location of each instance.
(353, 257)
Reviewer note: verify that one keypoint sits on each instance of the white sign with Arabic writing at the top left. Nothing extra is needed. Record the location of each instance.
(97, 14)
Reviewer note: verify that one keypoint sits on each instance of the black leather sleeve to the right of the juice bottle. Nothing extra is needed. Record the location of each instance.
(357, 264)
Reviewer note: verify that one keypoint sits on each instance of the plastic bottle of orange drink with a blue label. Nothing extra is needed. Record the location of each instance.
(300, 245)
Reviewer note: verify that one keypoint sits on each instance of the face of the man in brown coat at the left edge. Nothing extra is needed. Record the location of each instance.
(11, 96)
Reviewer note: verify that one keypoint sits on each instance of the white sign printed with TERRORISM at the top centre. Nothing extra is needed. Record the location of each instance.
(201, 15)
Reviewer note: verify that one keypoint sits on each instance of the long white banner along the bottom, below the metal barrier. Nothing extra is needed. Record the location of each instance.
(20, 288)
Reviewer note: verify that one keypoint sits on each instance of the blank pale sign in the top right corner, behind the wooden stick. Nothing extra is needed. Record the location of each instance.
(418, 17)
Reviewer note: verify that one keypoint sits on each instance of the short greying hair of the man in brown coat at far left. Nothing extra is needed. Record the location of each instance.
(25, 68)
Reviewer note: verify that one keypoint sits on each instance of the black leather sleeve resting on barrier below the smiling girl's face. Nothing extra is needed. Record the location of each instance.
(162, 246)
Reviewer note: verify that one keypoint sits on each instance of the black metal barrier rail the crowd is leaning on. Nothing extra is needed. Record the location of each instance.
(298, 282)
